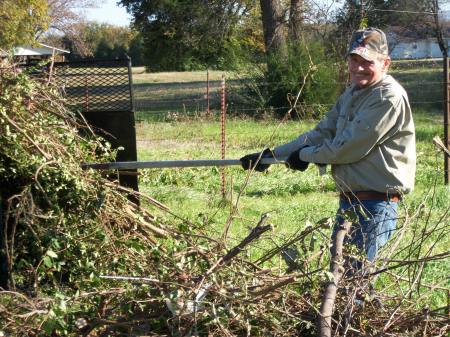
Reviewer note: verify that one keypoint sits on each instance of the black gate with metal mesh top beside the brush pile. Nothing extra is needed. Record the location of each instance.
(103, 91)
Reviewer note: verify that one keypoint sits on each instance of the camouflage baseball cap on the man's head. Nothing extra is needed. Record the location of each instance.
(369, 43)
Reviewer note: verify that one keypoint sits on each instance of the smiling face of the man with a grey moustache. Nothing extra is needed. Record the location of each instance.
(364, 73)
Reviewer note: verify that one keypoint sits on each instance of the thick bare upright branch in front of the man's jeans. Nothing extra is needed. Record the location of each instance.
(336, 269)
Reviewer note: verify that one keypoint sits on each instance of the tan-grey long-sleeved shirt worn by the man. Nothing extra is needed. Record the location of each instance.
(368, 137)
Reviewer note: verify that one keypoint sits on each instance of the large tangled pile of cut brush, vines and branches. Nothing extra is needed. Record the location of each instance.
(78, 258)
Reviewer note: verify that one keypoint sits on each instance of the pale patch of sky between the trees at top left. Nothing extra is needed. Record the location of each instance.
(108, 12)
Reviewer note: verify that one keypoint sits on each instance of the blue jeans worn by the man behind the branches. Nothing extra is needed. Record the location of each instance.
(373, 222)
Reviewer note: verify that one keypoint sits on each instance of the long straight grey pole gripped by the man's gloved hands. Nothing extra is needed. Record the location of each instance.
(132, 165)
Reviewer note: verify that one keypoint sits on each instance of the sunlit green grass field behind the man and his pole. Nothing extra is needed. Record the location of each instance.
(293, 200)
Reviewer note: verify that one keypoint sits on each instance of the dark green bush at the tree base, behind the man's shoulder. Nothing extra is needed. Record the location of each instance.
(306, 70)
